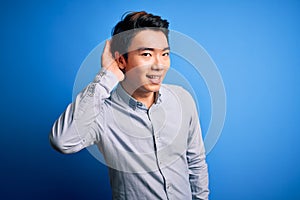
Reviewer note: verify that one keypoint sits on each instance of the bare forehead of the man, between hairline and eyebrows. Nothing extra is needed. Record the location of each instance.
(149, 39)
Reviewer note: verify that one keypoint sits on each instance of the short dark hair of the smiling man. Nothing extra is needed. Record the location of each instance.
(131, 23)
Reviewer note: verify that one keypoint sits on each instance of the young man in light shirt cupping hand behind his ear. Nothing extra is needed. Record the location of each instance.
(148, 132)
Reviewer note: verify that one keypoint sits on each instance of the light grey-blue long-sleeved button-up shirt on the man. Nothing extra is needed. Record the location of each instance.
(155, 153)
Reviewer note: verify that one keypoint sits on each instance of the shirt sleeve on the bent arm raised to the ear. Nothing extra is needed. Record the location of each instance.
(80, 124)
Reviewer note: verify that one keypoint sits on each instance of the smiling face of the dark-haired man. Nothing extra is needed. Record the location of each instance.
(147, 63)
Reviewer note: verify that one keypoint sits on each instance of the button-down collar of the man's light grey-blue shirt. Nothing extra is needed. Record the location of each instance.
(132, 102)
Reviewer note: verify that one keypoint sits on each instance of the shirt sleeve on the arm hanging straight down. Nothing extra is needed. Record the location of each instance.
(198, 172)
